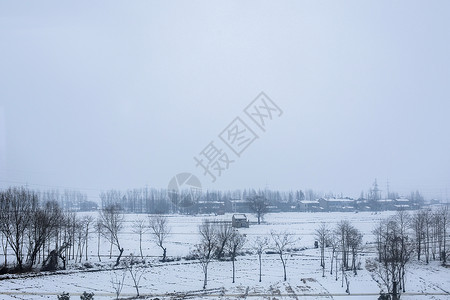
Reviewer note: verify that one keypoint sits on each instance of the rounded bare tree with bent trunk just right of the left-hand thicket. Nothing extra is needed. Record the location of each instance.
(112, 223)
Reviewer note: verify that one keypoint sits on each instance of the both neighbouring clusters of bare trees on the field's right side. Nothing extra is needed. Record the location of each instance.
(397, 239)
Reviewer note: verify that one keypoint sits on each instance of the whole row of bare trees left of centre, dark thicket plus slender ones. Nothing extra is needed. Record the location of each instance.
(40, 232)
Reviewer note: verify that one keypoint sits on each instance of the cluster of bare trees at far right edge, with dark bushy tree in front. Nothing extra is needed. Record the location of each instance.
(399, 237)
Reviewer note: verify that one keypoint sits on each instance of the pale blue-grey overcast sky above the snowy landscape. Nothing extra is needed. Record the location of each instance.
(99, 95)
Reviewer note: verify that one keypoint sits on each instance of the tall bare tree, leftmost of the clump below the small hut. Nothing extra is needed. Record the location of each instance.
(204, 250)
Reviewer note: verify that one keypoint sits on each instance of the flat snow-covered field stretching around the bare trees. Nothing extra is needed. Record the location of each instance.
(183, 279)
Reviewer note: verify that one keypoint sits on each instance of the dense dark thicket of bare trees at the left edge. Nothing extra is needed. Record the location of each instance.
(40, 232)
